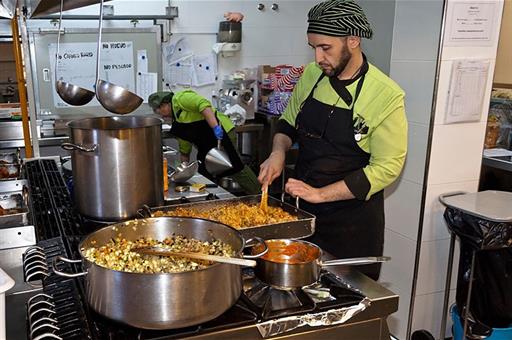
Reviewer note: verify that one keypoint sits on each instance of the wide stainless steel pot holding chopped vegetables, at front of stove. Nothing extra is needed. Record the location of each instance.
(162, 301)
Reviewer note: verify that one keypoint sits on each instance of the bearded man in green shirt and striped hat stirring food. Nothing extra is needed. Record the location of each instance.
(349, 122)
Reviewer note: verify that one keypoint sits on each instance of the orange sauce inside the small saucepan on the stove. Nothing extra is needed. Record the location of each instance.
(289, 253)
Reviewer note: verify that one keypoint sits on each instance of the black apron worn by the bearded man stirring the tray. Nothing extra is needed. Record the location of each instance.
(328, 152)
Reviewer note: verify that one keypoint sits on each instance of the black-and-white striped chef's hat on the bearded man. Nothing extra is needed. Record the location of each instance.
(339, 18)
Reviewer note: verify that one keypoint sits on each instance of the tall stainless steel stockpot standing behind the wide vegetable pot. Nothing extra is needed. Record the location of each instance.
(117, 165)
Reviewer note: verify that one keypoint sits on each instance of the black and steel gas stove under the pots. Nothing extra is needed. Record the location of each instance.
(56, 307)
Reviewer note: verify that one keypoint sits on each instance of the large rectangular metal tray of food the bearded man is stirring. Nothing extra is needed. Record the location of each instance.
(302, 228)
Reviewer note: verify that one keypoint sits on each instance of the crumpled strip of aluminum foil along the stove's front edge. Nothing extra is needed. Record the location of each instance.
(327, 318)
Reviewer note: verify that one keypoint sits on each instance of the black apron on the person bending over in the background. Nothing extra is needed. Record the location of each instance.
(201, 135)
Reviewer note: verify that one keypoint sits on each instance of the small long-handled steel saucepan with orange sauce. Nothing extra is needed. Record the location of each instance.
(294, 263)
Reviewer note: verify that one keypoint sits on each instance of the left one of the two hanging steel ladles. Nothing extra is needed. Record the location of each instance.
(71, 94)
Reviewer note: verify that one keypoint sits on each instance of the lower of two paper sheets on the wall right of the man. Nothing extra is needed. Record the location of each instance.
(467, 87)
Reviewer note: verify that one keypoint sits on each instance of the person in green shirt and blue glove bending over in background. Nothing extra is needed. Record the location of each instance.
(195, 121)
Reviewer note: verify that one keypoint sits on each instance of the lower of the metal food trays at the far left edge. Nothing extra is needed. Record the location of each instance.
(15, 210)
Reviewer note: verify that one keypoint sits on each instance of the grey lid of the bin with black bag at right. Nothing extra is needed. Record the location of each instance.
(491, 205)
